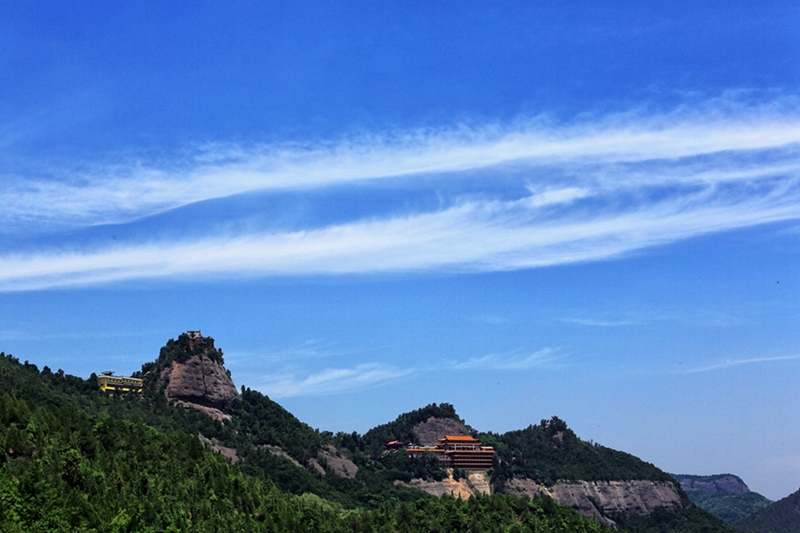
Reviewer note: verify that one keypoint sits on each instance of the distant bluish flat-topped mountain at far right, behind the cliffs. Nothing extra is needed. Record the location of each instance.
(723, 495)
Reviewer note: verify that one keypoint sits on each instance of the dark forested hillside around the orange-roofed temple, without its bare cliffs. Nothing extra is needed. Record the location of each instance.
(546, 453)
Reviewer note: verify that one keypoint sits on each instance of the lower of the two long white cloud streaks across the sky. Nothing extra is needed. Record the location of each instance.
(472, 236)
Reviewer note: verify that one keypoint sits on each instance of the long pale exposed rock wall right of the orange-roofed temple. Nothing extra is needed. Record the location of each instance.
(599, 498)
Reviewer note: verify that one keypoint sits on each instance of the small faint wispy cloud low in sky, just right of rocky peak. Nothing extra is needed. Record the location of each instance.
(331, 380)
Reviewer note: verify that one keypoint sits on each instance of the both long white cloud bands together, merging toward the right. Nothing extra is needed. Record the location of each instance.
(622, 184)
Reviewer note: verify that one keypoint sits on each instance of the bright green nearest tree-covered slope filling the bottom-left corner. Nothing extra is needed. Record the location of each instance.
(64, 470)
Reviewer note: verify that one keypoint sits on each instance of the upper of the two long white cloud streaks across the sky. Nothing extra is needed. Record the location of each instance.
(119, 193)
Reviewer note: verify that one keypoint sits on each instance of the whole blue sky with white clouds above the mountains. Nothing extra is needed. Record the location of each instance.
(523, 208)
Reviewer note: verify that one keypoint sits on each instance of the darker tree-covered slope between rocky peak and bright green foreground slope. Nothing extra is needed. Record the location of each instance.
(256, 421)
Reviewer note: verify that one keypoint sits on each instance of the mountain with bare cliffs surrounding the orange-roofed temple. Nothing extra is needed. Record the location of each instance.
(546, 459)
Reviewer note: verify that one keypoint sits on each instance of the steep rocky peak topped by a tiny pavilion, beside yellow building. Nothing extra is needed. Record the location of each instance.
(191, 371)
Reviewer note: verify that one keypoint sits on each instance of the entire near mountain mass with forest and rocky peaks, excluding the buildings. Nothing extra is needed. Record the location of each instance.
(149, 461)
